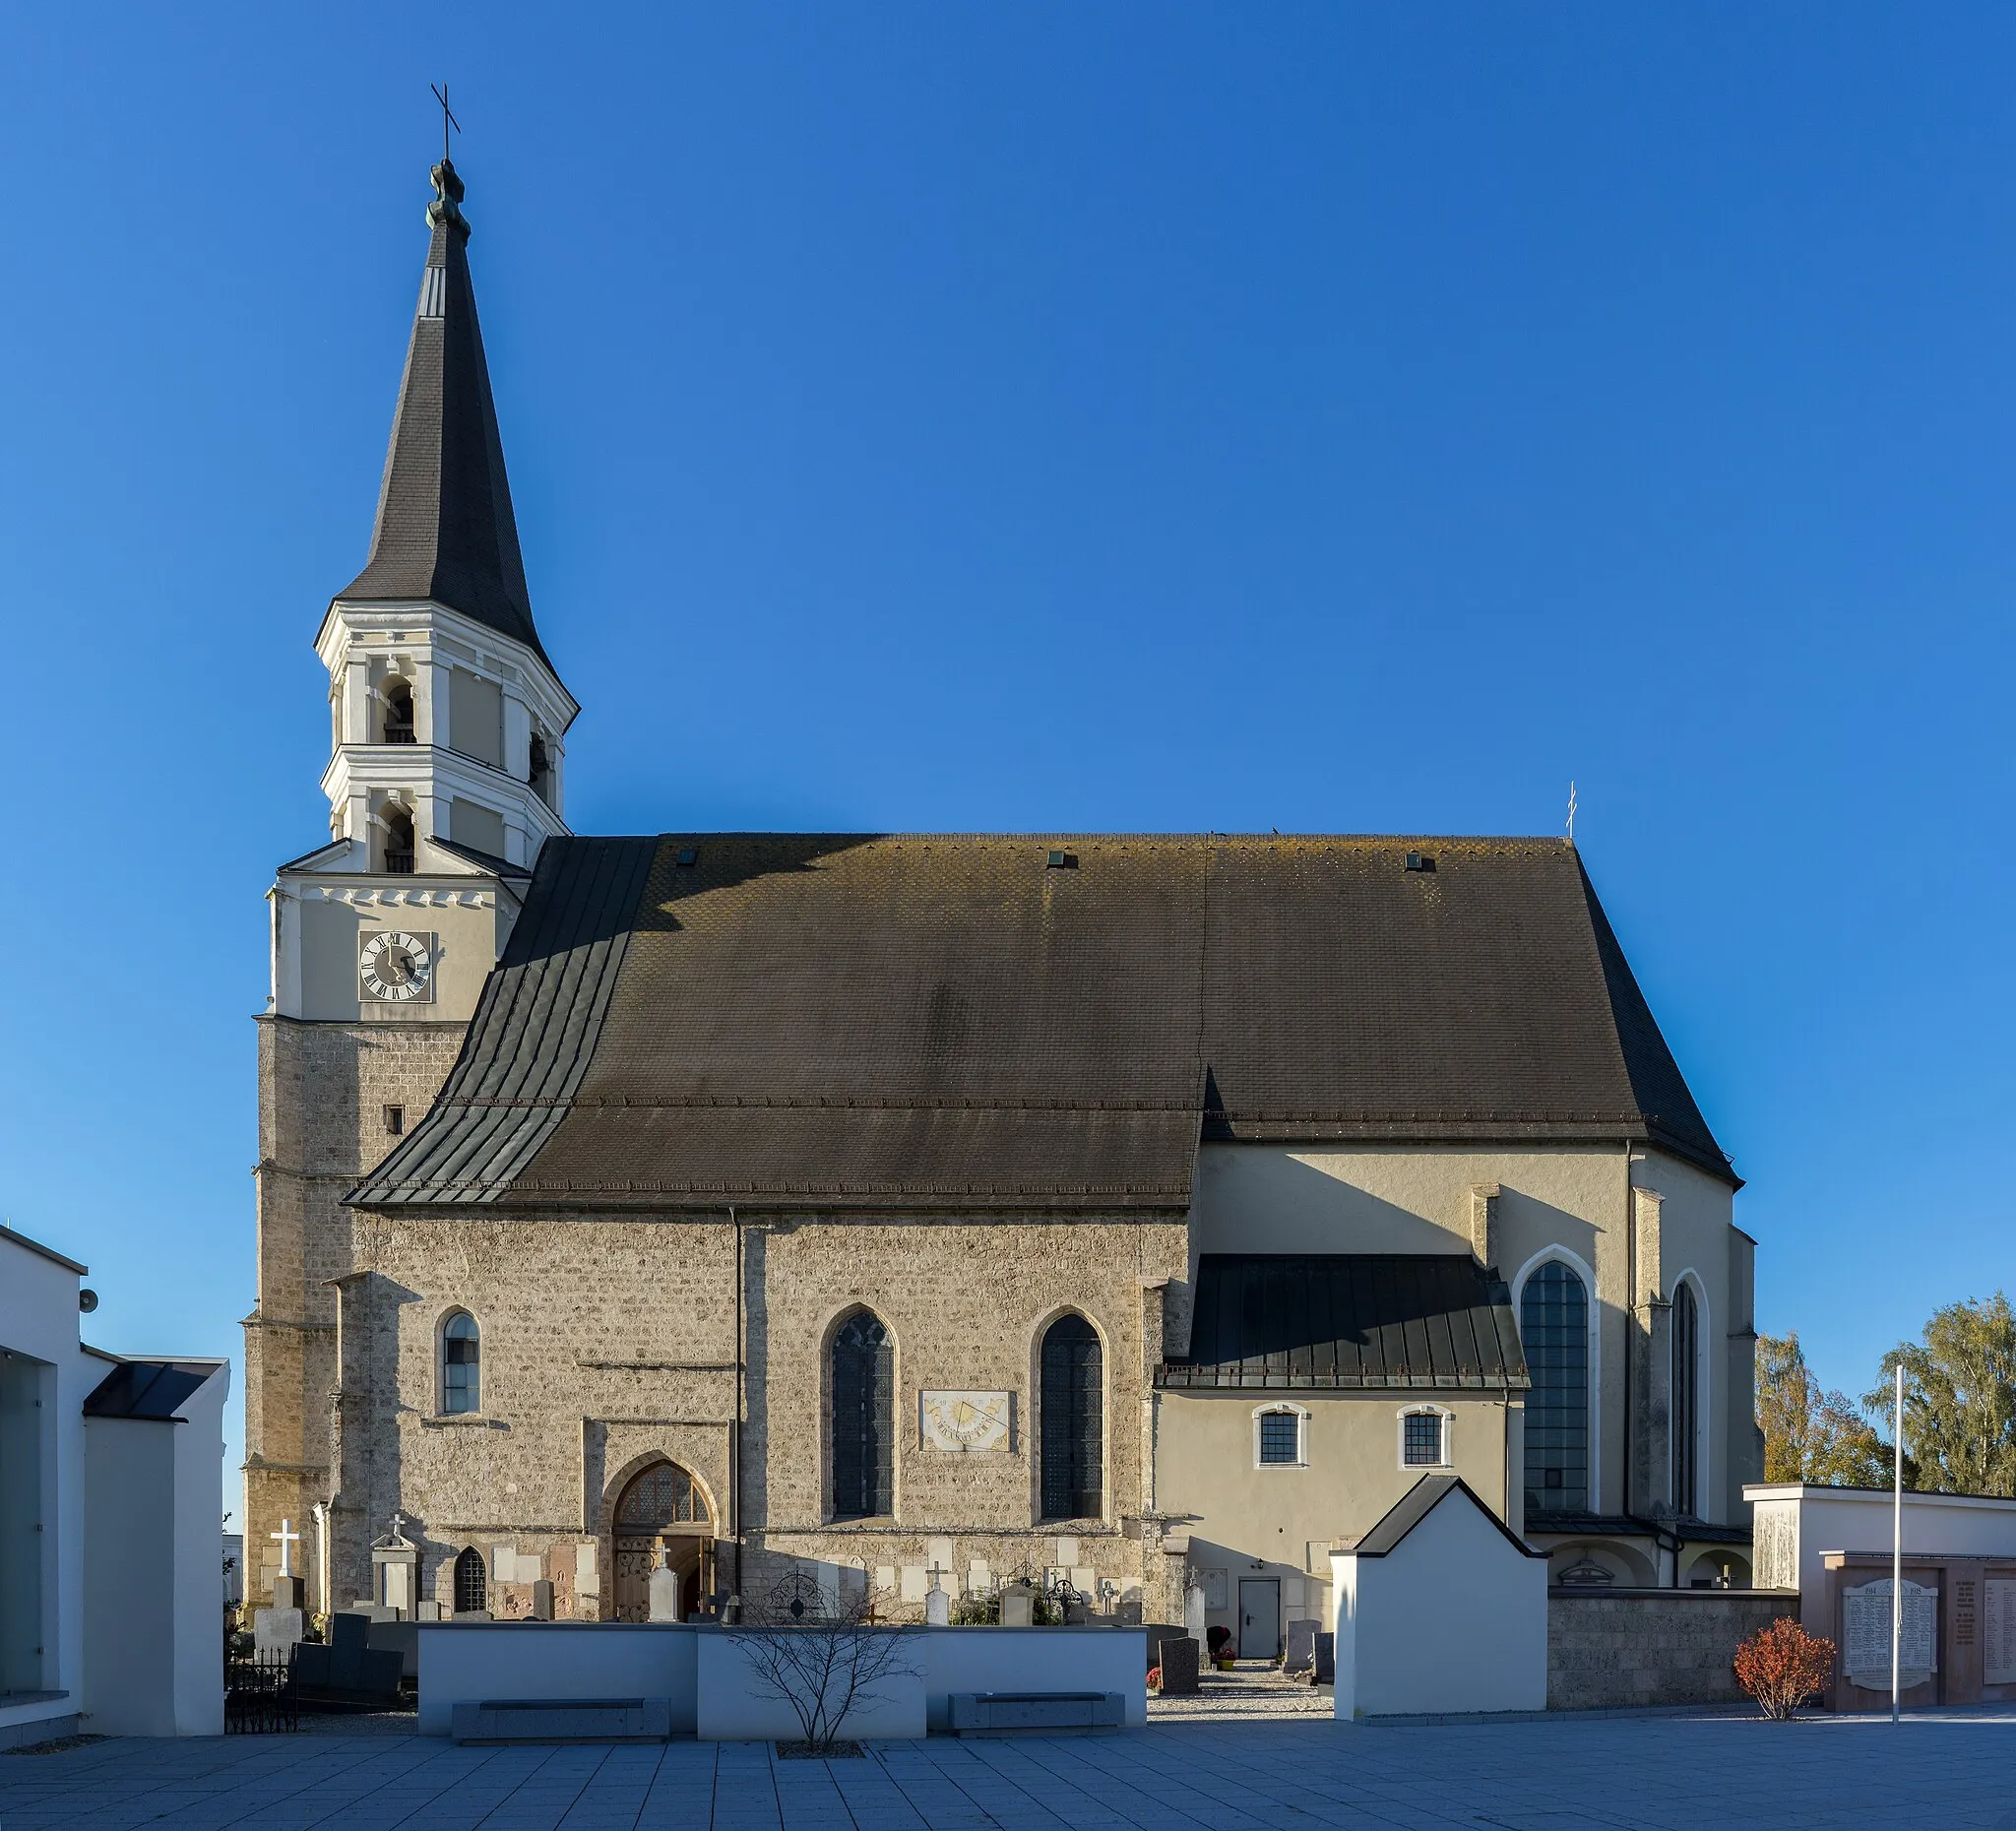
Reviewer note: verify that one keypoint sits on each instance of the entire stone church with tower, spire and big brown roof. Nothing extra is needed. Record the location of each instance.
(926, 1211)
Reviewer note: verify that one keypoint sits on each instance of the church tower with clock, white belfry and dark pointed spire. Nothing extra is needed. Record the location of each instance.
(445, 779)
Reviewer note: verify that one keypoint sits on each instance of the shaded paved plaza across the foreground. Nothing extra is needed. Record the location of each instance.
(1948, 1769)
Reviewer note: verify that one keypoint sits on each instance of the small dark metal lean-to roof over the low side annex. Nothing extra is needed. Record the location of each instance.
(1358, 1322)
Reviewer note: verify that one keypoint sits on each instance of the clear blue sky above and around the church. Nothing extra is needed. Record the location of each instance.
(1055, 416)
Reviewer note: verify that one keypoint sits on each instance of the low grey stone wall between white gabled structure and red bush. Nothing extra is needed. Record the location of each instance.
(1622, 1649)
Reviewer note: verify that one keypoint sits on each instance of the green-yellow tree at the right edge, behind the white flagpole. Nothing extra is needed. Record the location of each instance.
(1959, 1398)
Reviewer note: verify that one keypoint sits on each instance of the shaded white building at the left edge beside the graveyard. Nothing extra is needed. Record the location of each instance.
(110, 1481)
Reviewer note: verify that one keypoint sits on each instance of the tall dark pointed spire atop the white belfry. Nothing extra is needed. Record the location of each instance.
(445, 525)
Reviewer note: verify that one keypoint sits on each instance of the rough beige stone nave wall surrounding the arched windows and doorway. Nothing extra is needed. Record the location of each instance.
(610, 1344)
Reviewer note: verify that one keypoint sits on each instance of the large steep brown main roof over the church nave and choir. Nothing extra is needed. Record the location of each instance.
(900, 1021)
